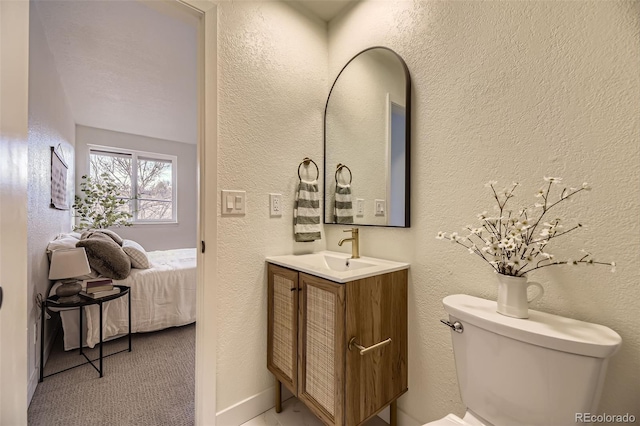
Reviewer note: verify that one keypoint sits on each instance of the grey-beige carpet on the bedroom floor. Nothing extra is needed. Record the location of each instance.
(152, 385)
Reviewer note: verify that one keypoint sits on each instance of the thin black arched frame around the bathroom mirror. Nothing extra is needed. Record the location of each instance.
(407, 76)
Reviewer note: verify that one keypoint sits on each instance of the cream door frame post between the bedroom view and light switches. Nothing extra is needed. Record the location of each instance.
(206, 312)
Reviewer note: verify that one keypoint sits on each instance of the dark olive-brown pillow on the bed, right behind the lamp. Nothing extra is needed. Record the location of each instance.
(106, 257)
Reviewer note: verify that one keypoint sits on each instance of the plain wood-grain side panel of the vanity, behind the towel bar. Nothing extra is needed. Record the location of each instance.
(376, 310)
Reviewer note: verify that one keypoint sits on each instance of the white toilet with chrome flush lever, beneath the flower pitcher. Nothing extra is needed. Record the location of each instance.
(515, 372)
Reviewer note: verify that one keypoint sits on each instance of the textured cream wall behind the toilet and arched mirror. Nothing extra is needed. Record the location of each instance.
(512, 91)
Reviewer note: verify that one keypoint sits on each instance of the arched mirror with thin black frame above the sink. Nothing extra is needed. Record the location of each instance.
(367, 141)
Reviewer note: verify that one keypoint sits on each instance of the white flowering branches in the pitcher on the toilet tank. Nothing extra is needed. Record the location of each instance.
(509, 242)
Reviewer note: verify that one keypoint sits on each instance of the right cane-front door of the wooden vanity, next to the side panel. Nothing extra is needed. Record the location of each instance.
(322, 348)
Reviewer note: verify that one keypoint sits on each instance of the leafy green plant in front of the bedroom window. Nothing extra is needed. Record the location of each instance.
(103, 204)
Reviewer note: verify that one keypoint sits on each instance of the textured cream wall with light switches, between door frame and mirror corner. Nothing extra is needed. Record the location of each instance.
(271, 92)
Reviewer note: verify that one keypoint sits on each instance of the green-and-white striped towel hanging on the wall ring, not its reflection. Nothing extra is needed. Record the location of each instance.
(306, 212)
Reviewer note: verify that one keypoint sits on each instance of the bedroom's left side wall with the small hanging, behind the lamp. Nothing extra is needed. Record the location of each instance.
(50, 124)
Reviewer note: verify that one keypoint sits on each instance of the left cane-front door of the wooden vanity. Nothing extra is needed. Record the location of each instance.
(282, 333)
